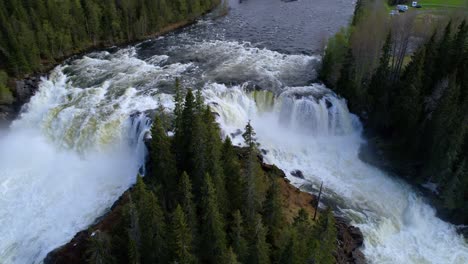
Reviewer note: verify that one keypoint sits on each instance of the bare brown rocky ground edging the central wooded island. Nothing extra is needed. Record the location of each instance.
(350, 238)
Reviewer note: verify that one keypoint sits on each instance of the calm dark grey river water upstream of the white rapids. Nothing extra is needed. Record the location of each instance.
(297, 27)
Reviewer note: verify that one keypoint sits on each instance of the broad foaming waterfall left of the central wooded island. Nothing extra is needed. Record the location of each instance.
(76, 148)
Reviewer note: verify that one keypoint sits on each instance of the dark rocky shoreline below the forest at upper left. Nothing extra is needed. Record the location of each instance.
(25, 87)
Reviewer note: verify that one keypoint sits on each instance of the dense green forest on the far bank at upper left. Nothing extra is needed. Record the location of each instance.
(36, 31)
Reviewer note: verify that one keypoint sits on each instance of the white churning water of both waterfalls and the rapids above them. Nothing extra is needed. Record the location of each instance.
(78, 144)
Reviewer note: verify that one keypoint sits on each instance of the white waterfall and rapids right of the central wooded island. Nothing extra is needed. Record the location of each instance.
(310, 129)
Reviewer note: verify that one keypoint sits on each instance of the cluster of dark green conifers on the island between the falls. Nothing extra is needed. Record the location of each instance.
(204, 201)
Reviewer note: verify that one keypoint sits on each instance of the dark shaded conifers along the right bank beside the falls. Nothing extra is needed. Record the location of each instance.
(419, 110)
